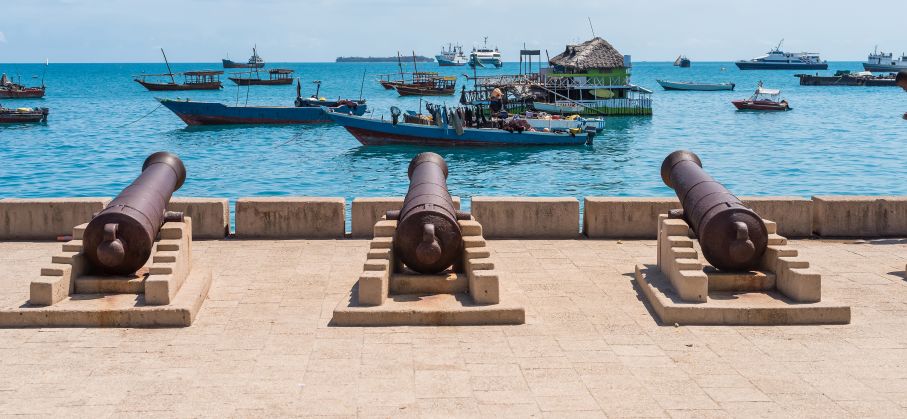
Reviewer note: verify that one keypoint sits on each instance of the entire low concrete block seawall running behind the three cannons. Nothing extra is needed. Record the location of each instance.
(502, 217)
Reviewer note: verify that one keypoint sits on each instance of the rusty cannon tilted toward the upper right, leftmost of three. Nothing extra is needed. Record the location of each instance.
(118, 240)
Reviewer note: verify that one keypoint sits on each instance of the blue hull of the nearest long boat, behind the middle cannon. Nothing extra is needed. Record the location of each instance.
(370, 131)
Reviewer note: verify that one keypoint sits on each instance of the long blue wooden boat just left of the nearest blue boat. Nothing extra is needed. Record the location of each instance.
(305, 111)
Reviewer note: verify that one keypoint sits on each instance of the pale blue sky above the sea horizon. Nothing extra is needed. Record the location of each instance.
(321, 30)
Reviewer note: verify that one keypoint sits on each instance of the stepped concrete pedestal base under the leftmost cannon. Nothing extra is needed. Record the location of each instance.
(165, 292)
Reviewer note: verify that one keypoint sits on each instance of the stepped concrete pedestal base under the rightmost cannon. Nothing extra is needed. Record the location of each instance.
(684, 289)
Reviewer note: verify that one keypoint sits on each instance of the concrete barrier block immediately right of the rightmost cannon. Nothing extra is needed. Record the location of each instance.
(792, 214)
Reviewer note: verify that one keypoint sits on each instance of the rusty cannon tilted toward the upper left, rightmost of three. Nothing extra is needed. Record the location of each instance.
(732, 236)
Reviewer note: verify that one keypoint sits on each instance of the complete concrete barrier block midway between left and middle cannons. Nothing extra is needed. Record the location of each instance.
(290, 218)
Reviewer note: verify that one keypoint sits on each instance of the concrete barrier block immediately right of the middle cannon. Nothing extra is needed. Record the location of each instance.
(526, 217)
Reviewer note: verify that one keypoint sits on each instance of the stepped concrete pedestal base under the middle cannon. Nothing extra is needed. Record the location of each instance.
(388, 294)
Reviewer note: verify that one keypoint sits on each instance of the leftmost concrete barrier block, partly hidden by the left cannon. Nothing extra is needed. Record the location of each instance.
(45, 218)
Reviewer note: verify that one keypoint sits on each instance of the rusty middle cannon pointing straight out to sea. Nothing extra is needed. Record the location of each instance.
(428, 238)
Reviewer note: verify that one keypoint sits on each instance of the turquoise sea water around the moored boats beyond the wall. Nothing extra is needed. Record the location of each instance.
(837, 140)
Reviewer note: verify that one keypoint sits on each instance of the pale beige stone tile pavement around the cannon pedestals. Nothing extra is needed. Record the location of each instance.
(261, 345)
